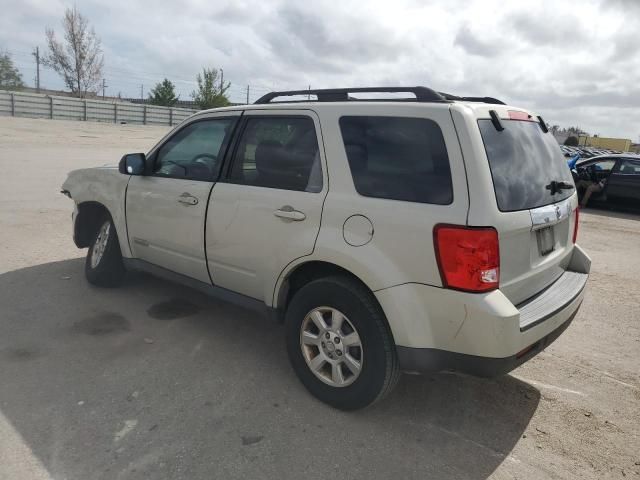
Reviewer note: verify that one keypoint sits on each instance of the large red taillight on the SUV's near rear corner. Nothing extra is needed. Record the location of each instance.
(468, 257)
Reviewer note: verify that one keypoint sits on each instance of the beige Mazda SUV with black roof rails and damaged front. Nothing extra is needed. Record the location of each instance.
(392, 229)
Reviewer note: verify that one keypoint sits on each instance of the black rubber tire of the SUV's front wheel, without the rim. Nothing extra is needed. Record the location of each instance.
(109, 270)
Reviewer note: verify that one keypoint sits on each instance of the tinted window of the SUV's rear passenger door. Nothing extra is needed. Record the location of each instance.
(278, 152)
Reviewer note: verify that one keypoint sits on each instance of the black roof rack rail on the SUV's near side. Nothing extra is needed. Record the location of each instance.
(423, 94)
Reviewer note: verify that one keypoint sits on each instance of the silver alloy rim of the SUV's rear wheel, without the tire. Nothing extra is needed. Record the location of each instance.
(331, 346)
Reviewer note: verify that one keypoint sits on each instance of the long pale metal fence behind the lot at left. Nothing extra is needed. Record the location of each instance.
(34, 105)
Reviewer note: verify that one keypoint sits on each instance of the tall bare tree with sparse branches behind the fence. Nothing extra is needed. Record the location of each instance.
(79, 58)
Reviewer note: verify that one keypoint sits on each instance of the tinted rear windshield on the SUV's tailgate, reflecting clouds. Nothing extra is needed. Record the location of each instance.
(523, 161)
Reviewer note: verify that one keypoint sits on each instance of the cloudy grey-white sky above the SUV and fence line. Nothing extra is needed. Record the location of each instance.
(576, 63)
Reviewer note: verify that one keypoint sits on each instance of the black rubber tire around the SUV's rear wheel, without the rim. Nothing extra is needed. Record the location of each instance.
(380, 370)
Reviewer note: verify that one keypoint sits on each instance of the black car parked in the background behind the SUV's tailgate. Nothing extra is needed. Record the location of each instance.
(618, 173)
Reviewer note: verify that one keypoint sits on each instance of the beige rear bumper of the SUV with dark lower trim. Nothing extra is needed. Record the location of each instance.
(485, 334)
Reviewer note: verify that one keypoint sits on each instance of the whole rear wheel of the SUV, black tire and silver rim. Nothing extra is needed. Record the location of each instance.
(339, 343)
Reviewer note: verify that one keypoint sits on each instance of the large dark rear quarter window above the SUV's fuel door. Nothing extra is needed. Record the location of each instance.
(398, 158)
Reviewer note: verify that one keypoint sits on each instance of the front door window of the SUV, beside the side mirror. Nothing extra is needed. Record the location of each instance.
(194, 152)
